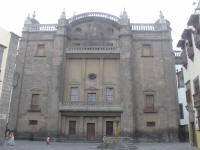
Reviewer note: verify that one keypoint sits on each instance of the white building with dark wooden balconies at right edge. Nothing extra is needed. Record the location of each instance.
(190, 61)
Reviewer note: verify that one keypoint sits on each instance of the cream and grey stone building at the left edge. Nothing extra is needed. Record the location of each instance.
(8, 51)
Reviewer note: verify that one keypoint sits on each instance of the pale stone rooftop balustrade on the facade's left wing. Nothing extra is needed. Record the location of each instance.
(40, 27)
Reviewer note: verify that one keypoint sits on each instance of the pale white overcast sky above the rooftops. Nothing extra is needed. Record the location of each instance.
(14, 12)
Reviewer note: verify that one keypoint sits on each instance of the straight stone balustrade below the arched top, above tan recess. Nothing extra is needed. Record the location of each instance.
(93, 49)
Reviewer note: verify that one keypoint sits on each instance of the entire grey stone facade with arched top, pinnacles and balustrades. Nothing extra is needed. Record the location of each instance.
(94, 75)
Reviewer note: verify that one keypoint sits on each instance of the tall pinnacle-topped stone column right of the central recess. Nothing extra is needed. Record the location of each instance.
(126, 76)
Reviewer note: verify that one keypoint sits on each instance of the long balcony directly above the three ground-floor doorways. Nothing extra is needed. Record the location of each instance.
(94, 106)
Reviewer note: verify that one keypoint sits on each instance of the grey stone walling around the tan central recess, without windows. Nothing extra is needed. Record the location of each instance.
(138, 74)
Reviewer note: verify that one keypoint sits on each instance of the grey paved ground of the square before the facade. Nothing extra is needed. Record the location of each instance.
(38, 145)
